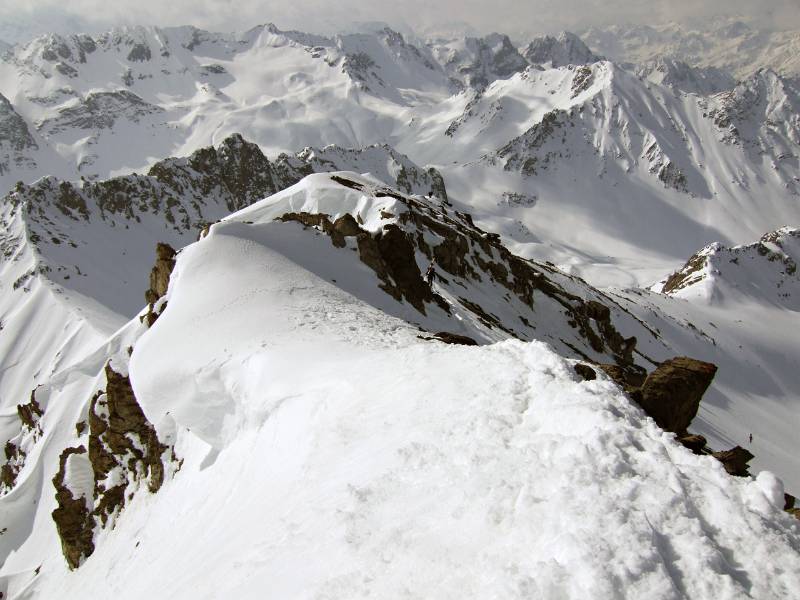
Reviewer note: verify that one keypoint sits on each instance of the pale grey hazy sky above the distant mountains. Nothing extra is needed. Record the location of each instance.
(18, 18)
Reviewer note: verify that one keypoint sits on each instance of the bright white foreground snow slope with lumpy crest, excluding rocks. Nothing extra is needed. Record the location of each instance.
(313, 466)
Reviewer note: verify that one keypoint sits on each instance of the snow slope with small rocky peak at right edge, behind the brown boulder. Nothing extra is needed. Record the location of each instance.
(737, 307)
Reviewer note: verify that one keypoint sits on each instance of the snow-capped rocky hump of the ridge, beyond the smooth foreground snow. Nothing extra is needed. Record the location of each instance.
(480, 289)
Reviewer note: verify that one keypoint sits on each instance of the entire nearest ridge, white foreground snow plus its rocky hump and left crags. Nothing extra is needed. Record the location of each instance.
(303, 420)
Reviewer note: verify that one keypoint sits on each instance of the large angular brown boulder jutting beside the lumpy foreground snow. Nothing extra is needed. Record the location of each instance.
(671, 394)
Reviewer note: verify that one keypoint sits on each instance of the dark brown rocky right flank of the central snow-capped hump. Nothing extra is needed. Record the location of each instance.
(417, 233)
